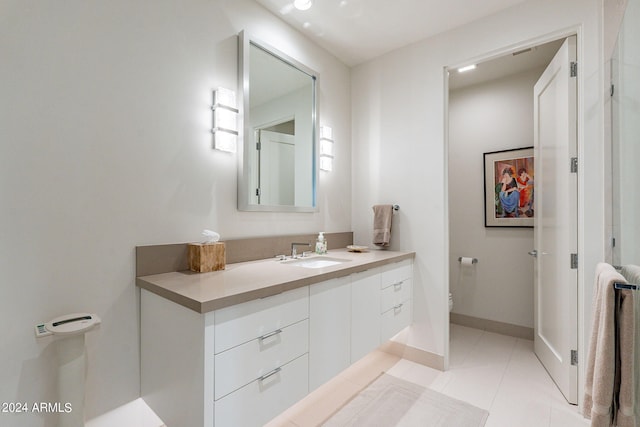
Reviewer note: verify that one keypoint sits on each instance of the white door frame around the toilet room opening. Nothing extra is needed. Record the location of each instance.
(582, 301)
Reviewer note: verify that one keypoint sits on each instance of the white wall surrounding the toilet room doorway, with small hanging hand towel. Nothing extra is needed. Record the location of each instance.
(399, 151)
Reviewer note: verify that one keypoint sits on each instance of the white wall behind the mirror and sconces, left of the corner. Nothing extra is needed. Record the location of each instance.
(105, 144)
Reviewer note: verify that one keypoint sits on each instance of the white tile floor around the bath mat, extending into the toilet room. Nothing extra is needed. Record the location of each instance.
(495, 372)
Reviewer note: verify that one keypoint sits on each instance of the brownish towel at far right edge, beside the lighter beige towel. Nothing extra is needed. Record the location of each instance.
(629, 305)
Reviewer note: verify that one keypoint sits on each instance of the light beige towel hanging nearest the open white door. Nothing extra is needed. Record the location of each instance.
(601, 363)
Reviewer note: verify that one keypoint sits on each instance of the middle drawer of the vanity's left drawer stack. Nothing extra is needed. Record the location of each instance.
(245, 363)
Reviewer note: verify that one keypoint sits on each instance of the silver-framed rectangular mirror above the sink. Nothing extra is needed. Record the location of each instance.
(277, 161)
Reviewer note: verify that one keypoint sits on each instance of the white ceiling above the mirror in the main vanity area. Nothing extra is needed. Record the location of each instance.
(356, 31)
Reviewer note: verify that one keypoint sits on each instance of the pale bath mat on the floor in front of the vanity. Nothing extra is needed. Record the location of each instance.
(389, 401)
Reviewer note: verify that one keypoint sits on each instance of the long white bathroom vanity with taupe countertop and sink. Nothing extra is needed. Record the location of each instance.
(239, 346)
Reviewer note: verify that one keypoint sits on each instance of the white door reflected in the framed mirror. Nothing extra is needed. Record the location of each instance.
(277, 168)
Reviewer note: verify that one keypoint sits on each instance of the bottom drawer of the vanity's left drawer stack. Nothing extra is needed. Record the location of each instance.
(261, 400)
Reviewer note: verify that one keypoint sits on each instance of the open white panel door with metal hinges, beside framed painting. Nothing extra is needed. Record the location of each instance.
(555, 223)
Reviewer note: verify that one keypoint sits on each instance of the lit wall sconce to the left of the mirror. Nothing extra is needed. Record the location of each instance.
(225, 120)
